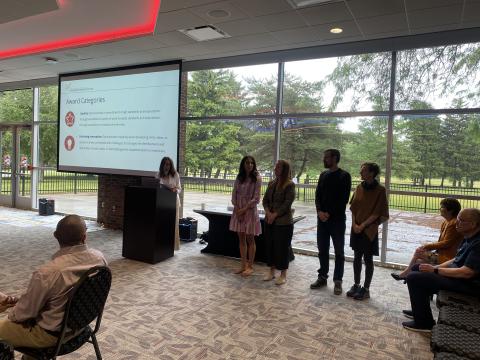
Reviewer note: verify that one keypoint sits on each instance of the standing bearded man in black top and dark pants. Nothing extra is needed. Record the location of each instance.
(331, 198)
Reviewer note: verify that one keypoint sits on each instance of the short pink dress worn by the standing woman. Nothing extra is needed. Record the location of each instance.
(246, 194)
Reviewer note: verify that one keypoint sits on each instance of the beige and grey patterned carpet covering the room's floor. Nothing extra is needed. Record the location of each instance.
(192, 307)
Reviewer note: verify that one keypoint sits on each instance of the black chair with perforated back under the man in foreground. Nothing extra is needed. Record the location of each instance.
(85, 304)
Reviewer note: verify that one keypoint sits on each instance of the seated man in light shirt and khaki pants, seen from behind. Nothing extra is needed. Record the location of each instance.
(35, 317)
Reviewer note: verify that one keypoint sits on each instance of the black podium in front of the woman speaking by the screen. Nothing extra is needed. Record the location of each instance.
(149, 223)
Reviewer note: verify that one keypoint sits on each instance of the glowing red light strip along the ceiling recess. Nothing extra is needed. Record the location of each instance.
(121, 33)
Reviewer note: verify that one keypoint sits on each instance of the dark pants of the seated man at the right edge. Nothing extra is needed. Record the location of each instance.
(421, 285)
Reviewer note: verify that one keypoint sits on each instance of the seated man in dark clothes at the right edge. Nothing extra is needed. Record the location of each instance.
(461, 274)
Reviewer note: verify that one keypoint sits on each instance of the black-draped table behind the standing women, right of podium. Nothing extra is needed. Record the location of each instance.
(222, 241)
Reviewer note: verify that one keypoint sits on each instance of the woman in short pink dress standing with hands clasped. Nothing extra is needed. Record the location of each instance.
(245, 221)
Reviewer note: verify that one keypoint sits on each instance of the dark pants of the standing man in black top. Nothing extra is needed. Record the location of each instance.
(334, 228)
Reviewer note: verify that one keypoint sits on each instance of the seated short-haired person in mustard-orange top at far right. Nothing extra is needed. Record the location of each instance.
(446, 246)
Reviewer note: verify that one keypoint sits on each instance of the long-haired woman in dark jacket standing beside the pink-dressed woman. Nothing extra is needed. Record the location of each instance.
(277, 203)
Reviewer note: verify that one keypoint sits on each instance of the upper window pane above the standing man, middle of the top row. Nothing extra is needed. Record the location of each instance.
(349, 83)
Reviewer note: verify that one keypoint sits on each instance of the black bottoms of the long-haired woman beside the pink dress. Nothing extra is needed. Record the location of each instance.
(278, 239)
